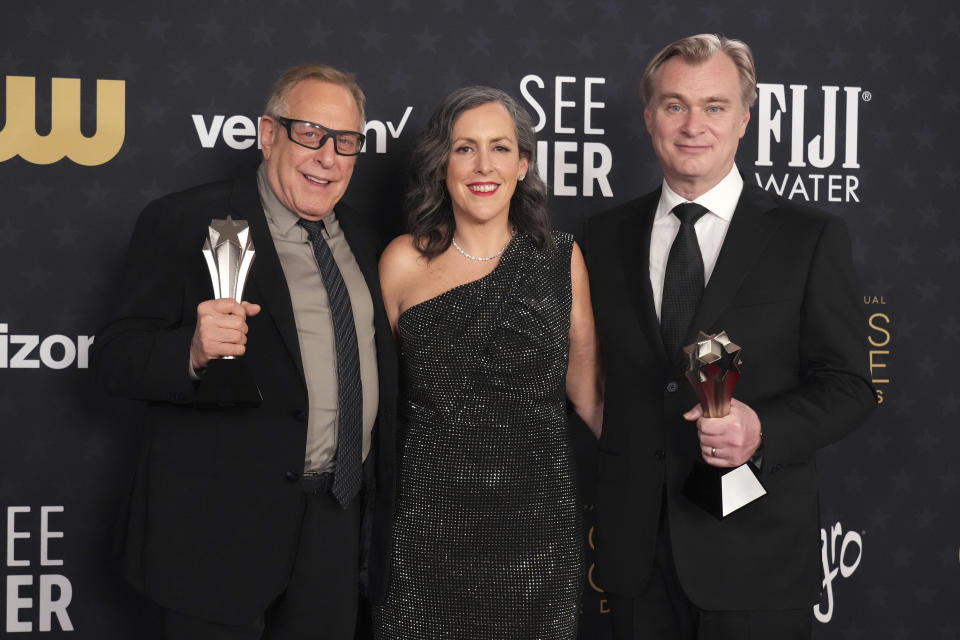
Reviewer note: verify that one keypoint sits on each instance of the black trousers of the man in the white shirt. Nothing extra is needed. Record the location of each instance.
(662, 610)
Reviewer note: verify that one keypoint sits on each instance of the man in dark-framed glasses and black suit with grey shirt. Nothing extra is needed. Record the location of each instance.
(245, 522)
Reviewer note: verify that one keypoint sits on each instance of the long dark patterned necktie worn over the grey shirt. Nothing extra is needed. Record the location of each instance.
(348, 473)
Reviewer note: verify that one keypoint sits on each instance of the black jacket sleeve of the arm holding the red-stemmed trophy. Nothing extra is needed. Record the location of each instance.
(834, 395)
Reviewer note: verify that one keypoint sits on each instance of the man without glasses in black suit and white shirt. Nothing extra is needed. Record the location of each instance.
(778, 278)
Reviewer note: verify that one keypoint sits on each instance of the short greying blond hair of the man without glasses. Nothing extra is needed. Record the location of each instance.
(698, 49)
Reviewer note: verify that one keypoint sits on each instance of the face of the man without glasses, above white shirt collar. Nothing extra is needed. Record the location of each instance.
(696, 118)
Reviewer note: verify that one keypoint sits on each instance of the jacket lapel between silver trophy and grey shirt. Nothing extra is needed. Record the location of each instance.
(266, 274)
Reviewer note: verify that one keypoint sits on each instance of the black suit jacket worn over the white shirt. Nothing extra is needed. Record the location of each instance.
(784, 289)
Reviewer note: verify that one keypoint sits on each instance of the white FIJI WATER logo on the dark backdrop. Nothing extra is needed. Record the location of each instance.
(832, 183)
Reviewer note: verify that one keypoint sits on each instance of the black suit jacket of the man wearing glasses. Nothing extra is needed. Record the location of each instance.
(214, 510)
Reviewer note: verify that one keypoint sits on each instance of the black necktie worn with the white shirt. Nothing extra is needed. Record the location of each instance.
(683, 279)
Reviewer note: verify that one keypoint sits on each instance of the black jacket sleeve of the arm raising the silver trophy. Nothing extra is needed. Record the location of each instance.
(143, 352)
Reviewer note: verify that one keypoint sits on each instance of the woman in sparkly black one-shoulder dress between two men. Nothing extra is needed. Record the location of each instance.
(492, 313)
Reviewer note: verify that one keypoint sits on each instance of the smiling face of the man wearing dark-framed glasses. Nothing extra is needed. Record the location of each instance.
(310, 182)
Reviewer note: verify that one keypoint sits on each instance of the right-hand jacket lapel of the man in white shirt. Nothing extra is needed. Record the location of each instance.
(750, 230)
